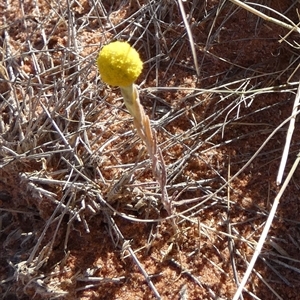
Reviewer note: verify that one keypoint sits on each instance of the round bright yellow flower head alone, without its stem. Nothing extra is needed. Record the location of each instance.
(119, 64)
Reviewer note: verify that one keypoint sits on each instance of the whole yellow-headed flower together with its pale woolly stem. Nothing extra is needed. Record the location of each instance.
(119, 64)
